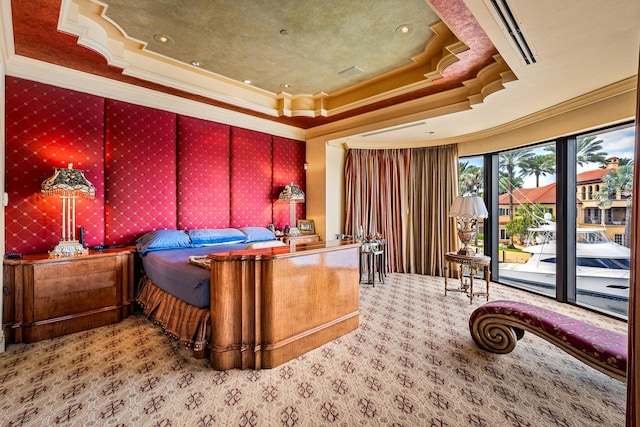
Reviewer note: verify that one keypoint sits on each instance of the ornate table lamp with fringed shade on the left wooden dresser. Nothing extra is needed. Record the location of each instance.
(68, 184)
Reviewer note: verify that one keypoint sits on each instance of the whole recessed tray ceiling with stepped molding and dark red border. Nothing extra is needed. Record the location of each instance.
(456, 51)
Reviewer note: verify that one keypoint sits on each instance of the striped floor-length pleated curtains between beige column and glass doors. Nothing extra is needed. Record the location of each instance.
(405, 195)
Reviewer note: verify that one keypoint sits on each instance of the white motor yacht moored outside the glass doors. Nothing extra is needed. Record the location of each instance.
(602, 266)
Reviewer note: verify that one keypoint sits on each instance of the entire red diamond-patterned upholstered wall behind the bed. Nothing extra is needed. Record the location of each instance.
(152, 169)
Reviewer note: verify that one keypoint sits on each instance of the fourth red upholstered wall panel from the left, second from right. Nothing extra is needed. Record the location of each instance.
(251, 200)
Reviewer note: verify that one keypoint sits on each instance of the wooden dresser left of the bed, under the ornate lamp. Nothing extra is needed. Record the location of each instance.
(45, 298)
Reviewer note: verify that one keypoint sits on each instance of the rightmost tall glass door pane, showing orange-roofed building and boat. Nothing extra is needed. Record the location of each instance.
(604, 179)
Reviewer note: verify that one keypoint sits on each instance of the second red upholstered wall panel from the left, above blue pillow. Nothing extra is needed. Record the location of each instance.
(141, 171)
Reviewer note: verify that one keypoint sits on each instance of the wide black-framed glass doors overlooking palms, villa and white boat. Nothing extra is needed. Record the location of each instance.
(598, 167)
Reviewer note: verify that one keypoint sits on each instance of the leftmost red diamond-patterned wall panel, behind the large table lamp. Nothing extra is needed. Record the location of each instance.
(47, 127)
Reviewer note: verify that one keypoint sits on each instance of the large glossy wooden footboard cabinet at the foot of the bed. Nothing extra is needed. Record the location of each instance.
(271, 306)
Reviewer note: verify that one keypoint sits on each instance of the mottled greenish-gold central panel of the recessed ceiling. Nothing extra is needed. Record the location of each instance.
(312, 47)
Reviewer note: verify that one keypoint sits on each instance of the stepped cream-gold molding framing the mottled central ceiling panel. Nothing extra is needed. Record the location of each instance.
(87, 20)
